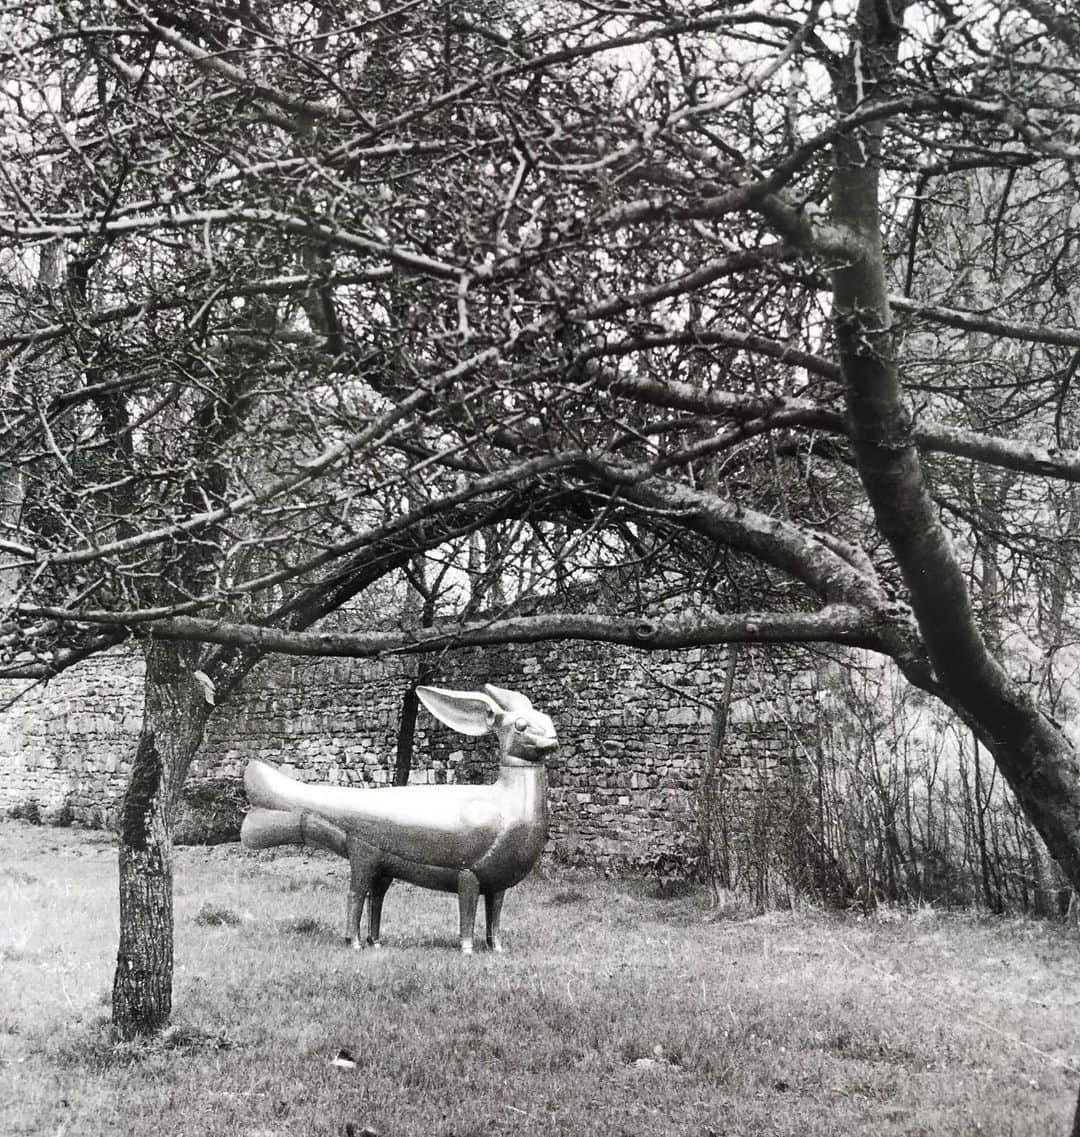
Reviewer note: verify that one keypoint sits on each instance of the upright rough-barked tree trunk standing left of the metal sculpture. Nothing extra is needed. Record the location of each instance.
(176, 713)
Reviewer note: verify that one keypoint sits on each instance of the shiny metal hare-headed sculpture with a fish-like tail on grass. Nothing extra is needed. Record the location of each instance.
(468, 840)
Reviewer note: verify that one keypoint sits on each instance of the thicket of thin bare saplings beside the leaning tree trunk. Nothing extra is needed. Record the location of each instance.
(890, 803)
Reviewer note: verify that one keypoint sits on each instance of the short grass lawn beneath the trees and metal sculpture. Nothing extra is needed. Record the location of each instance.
(614, 1012)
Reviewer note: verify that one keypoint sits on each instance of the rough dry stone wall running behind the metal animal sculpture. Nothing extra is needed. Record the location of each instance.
(626, 785)
